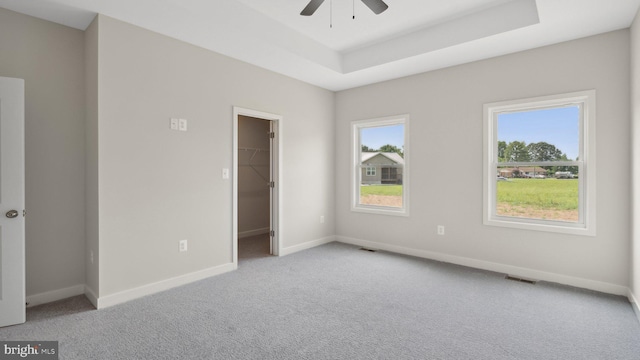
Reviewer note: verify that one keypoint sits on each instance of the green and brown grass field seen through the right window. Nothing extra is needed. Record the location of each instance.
(548, 199)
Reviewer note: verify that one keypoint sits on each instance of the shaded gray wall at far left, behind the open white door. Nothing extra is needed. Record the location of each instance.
(50, 58)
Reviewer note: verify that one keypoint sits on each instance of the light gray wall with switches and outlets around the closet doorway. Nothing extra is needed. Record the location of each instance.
(157, 186)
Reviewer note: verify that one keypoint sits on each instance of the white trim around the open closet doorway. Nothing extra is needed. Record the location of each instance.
(276, 171)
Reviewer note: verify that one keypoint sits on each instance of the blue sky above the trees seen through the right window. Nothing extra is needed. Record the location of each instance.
(558, 126)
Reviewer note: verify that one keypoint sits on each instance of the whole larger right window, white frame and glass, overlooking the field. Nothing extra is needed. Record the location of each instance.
(539, 163)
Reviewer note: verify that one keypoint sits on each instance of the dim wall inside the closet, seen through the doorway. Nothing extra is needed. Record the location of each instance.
(254, 200)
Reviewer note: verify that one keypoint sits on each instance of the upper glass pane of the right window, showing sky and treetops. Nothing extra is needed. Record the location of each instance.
(539, 135)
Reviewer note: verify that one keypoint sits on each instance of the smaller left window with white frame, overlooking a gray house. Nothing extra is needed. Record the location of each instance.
(380, 165)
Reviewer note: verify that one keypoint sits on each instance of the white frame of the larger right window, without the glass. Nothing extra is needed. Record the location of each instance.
(586, 224)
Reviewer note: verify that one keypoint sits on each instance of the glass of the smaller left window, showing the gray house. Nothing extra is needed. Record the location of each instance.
(382, 162)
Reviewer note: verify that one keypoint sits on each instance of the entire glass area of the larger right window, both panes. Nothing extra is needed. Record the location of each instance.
(538, 192)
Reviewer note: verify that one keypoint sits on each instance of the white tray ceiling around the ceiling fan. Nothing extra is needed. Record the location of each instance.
(412, 36)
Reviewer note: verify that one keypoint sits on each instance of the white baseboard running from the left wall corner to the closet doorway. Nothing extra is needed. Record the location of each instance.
(131, 294)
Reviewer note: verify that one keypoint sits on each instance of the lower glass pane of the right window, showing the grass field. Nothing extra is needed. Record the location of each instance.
(534, 192)
